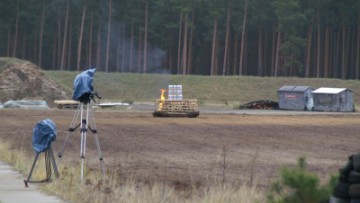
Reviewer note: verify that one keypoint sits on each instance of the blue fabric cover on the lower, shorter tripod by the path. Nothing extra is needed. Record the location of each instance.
(44, 133)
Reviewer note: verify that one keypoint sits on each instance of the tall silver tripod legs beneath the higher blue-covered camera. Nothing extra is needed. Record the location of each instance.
(86, 123)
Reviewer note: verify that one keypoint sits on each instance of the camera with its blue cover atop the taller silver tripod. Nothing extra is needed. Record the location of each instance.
(83, 87)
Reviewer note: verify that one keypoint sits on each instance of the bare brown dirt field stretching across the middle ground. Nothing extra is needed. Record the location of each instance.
(192, 150)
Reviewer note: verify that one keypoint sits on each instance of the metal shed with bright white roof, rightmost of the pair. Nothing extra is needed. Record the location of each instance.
(333, 99)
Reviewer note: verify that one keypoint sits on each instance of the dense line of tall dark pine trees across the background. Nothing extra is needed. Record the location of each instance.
(304, 38)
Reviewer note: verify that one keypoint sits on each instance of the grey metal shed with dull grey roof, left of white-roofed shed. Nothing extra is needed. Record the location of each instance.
(295, 98)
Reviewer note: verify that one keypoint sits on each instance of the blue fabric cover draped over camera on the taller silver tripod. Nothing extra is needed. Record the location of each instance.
(83, 84)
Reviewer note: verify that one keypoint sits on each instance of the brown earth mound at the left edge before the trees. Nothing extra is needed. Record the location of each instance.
(24, 80)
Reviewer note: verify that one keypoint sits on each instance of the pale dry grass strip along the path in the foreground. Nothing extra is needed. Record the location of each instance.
(117, 188)
